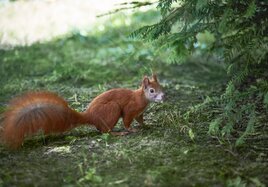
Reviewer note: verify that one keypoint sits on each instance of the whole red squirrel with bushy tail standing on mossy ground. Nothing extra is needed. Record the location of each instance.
(49, 113)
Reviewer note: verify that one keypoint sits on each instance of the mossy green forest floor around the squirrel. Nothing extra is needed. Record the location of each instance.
(167, 151)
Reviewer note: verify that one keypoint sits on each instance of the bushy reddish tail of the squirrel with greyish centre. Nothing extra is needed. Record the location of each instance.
(35, 112)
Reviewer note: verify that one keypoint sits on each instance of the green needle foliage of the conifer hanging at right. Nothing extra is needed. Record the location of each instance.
(236, 32)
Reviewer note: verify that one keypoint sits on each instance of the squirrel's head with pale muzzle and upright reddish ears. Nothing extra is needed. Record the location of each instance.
(152, 89)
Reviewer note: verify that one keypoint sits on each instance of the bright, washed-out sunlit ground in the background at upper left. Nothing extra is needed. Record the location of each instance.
(45, 19)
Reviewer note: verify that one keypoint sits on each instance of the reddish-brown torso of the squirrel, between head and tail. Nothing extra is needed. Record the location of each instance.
(106, 109)
